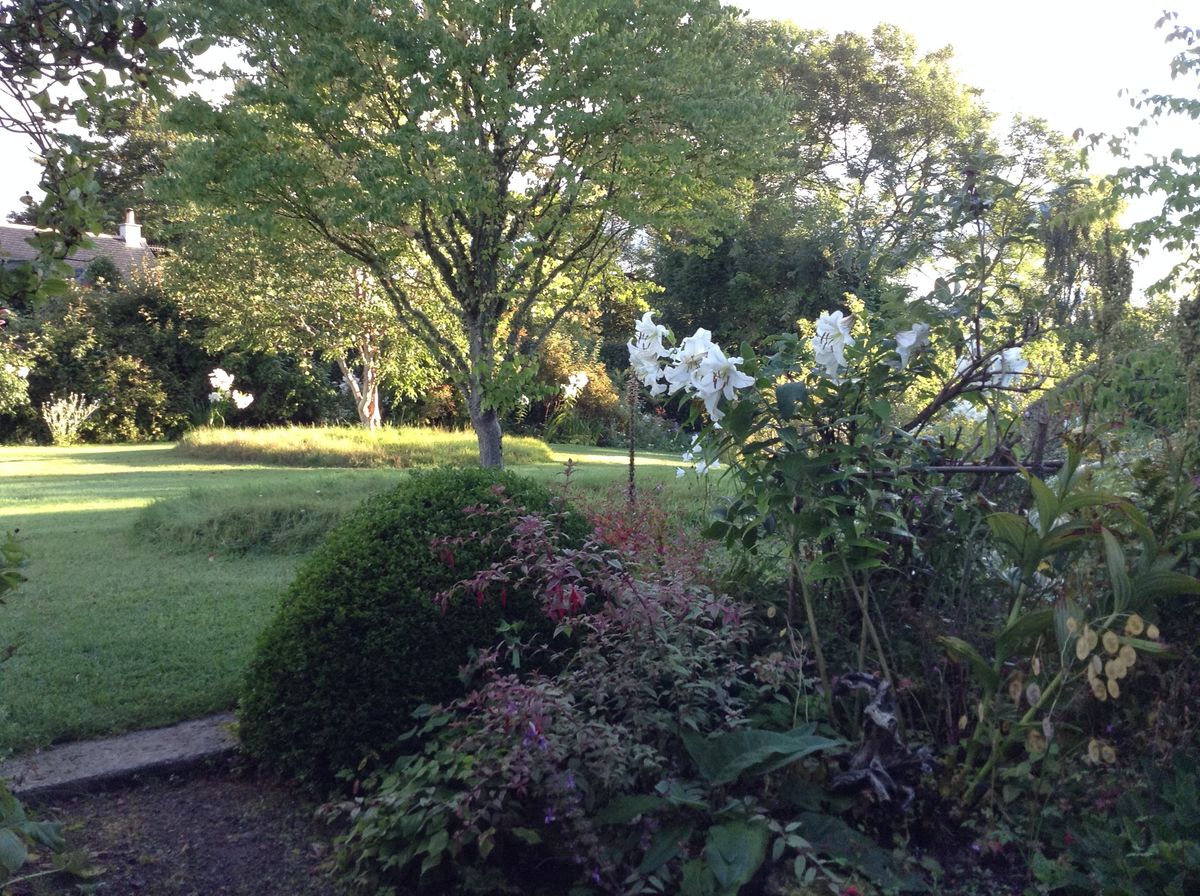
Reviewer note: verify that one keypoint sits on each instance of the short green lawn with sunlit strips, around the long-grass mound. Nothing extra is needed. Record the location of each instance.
(139, 616)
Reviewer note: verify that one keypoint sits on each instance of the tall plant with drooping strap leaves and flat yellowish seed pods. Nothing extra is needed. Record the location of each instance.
(1075, 627)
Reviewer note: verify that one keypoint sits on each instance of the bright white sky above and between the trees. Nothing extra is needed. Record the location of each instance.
(1063, 61)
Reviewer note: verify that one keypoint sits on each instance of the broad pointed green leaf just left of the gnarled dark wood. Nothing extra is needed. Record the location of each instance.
(725, 757)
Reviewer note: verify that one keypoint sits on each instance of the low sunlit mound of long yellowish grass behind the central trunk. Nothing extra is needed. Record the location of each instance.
(403, 448)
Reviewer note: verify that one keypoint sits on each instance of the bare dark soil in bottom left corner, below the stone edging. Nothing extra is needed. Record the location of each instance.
(219, 829)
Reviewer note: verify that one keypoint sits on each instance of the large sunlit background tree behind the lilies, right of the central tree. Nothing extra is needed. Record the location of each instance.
(879, 136)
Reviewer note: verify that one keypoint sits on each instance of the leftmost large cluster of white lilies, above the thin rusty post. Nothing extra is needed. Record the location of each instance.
(698, 366)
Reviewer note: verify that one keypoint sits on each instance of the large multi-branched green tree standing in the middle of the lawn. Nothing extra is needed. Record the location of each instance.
(484, 160)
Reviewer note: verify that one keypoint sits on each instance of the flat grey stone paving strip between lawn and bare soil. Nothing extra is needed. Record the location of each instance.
(87, 765)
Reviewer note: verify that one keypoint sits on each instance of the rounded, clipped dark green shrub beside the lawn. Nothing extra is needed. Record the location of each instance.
(359, 644)
